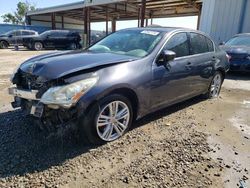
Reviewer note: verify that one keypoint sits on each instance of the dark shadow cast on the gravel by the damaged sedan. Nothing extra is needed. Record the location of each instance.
(25, 149)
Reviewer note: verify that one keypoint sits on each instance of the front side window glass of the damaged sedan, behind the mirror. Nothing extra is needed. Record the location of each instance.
(178, 44)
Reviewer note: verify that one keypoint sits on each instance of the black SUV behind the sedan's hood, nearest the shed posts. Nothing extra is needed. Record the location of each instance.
(54, 39)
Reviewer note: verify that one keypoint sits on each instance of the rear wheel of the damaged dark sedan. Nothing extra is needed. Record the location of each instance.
(215, 86)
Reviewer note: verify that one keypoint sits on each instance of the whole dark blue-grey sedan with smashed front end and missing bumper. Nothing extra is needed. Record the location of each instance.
(119, 79)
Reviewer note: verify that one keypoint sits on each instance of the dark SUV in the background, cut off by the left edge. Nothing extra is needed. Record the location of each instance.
(15, 37)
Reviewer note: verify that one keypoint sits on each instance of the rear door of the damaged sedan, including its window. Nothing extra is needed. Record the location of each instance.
(202, 58)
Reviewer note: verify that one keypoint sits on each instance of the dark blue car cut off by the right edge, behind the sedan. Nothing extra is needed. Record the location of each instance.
(238, 48)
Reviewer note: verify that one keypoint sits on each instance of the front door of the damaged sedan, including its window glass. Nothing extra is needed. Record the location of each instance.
(172, 84)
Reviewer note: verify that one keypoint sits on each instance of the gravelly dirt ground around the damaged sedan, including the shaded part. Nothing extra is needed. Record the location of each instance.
(198, 143)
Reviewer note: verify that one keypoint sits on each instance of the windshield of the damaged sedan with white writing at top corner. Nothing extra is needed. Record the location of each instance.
(137, 43)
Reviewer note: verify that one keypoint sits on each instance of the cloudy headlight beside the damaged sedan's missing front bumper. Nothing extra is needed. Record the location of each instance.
(68, 95)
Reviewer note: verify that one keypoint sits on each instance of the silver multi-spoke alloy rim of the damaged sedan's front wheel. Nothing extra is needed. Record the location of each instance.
(113, 120)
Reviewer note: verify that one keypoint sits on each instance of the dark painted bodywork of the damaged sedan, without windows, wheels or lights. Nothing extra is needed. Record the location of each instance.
(154, 85)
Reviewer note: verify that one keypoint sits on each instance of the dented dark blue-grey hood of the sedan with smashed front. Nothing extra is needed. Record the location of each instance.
(59, 64)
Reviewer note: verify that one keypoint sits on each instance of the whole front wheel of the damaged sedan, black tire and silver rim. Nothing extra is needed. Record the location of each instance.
(97, 128)
